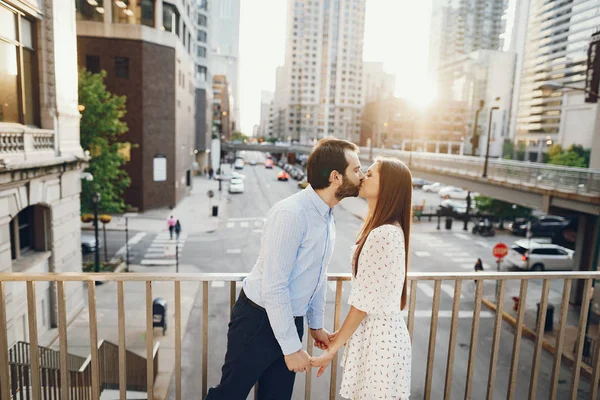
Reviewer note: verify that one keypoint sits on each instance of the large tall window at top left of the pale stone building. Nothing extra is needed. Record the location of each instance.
(20, 101)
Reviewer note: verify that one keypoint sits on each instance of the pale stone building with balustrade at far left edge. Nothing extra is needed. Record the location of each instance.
(41, 159)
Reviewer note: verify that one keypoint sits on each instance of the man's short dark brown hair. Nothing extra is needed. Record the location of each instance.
(328, 155)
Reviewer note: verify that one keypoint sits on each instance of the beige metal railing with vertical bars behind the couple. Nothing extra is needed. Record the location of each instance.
(462, 283)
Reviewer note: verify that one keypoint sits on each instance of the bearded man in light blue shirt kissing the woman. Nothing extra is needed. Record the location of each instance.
(288, 281)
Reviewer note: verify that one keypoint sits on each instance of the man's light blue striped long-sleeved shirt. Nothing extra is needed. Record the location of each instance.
(289, 277)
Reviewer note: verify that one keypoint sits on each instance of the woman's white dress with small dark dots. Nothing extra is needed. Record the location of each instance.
(377, 357)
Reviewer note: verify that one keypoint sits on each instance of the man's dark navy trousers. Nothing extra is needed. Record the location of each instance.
(253, 355)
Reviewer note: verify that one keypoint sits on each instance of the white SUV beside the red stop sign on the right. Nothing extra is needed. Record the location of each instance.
(535, 256)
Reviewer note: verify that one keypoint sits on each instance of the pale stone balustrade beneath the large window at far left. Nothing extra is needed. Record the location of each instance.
(21, 144)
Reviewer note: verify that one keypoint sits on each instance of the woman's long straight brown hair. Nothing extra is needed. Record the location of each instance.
(394, 205)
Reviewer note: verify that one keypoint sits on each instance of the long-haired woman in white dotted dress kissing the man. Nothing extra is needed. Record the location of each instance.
(377, 358)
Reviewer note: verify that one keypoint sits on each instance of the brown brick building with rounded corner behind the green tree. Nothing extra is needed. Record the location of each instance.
(148, 51)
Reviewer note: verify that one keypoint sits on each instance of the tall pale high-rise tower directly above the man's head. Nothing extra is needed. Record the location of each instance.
(323, 67)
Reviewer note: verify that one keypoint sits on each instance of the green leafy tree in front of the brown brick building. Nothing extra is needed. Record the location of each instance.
(100, 127)
